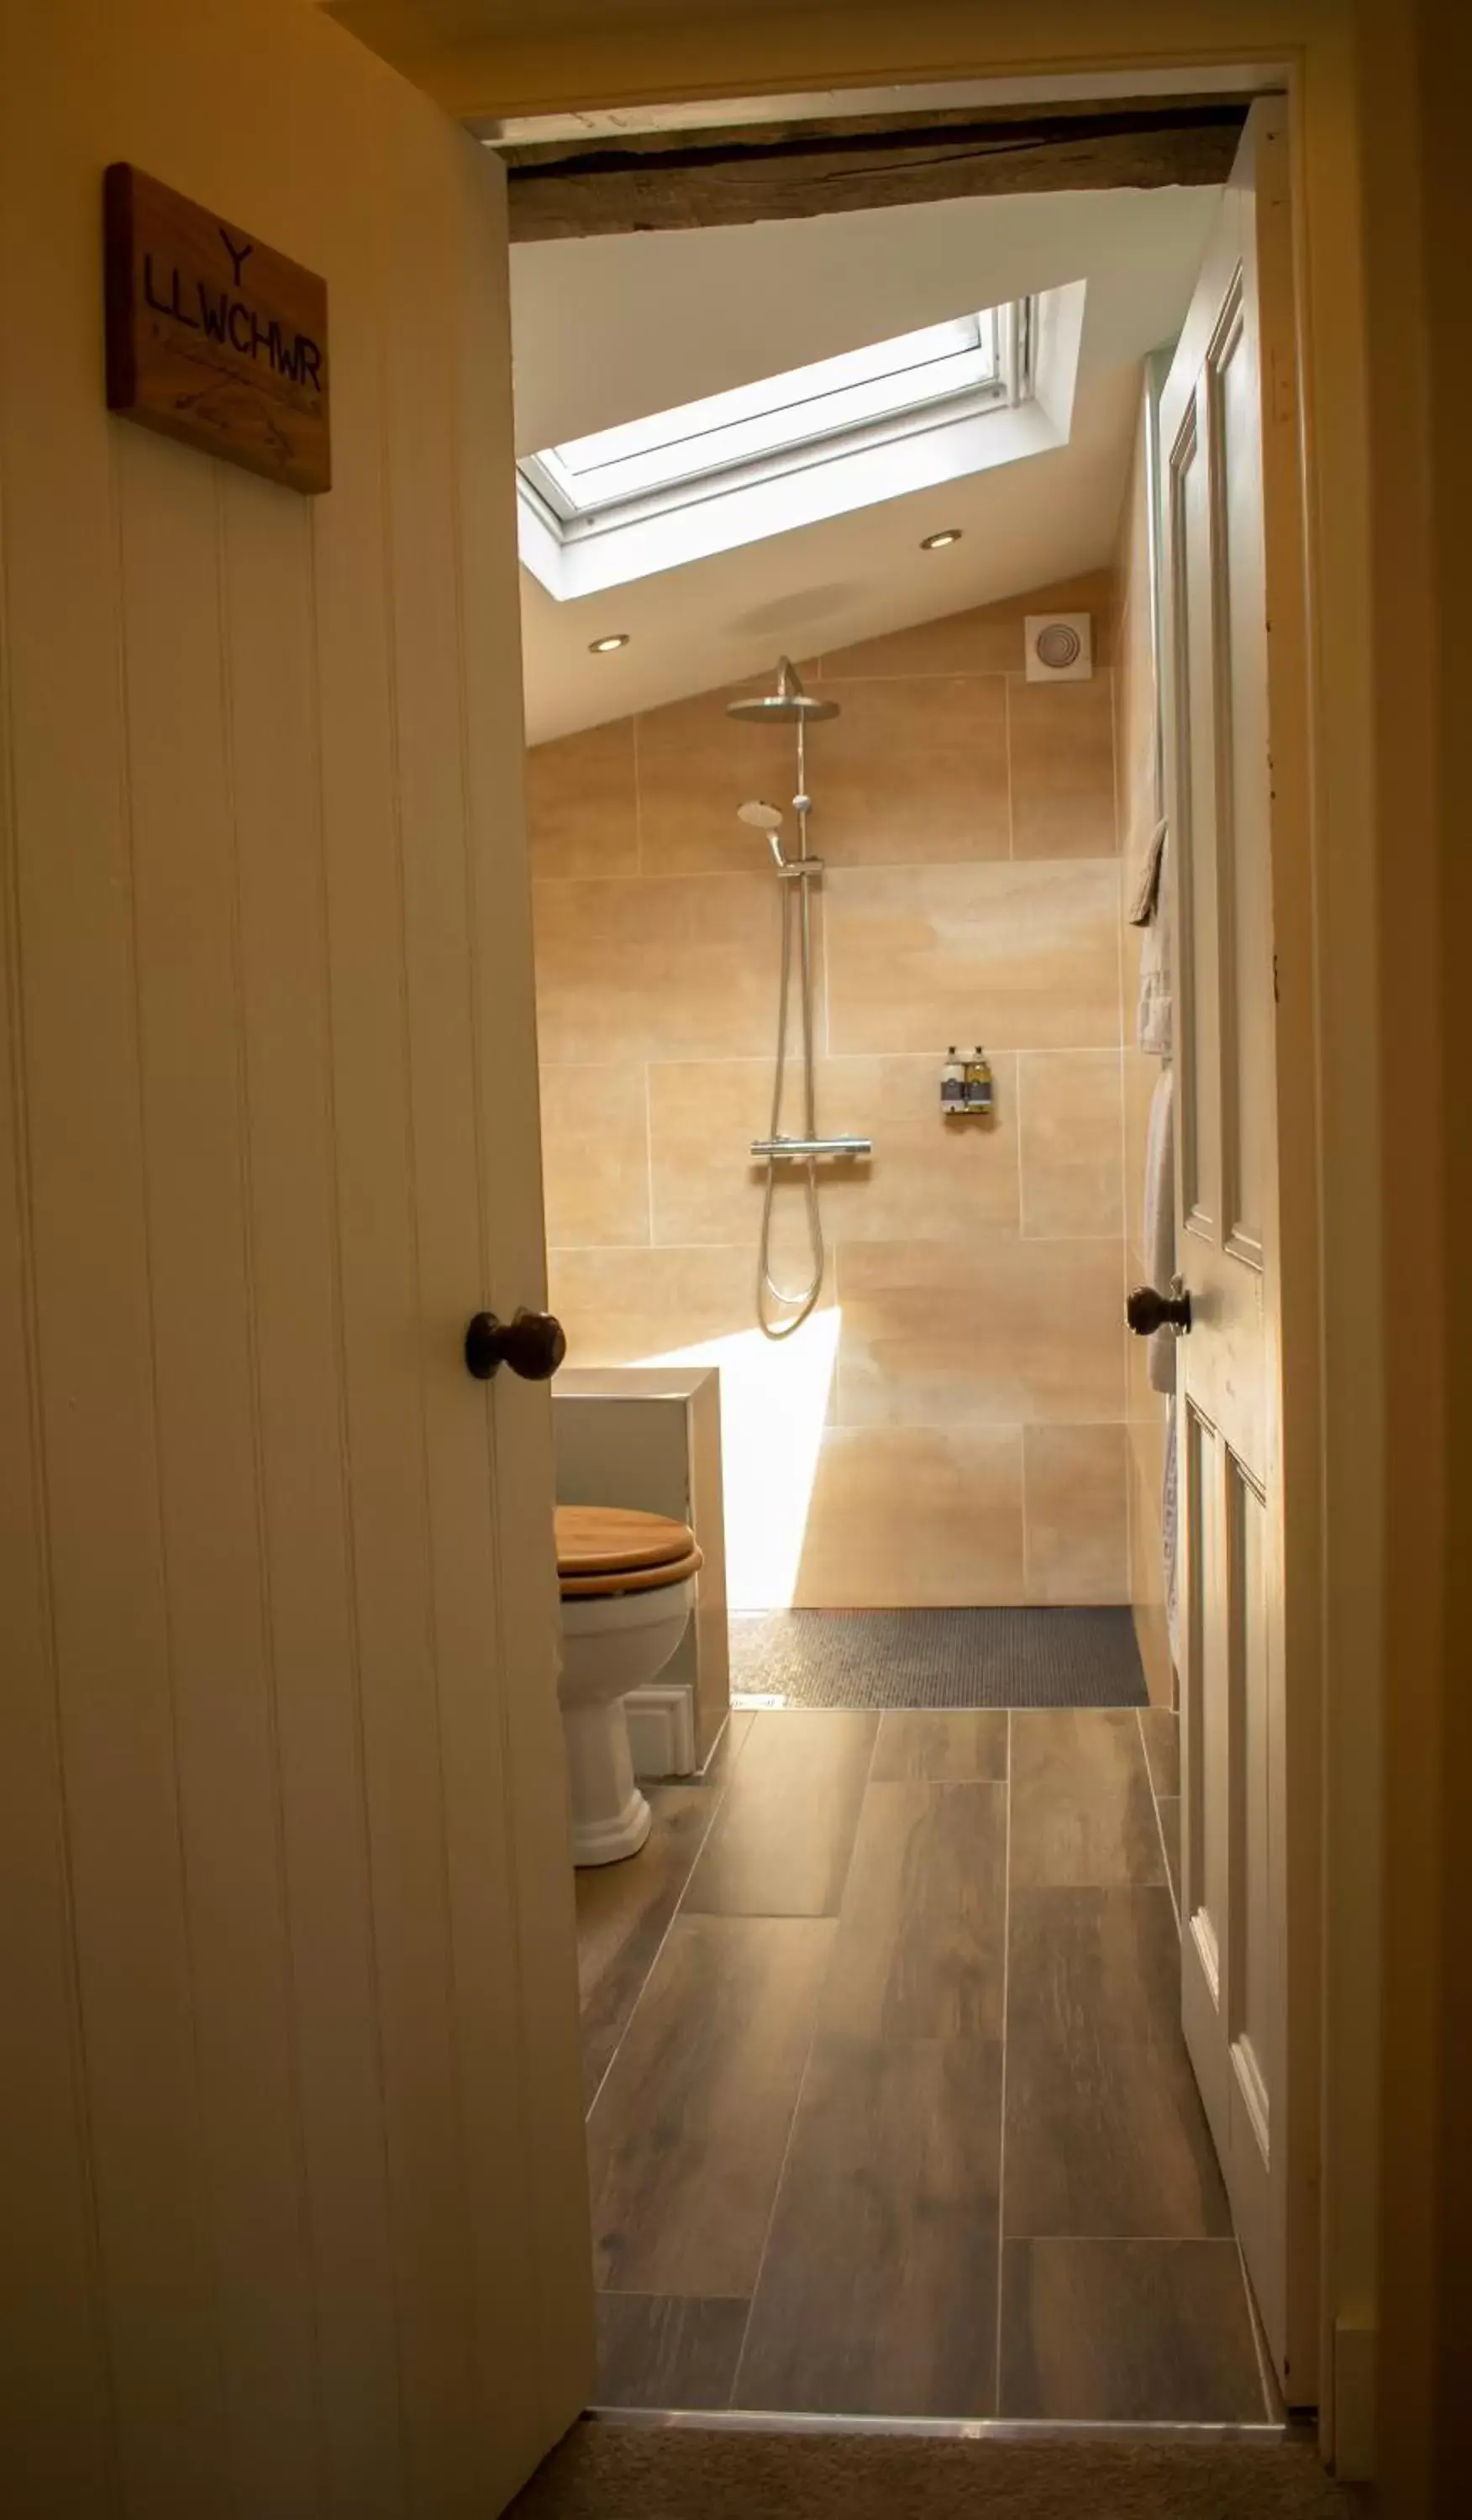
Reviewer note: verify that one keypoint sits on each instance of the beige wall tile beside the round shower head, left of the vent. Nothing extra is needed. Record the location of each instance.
(914, 772)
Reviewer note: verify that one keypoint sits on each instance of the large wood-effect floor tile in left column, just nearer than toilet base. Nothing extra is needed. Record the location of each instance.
(689, 2131)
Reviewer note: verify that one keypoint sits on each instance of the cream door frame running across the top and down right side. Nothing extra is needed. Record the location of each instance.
(1325, 898)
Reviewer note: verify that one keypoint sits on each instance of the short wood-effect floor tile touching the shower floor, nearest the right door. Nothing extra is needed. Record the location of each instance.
(1083, 1813)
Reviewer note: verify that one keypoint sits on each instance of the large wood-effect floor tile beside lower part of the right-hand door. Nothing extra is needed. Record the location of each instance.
(1105, 2131)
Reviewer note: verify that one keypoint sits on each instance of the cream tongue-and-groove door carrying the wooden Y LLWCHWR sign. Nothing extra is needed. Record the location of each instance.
(291, 2105)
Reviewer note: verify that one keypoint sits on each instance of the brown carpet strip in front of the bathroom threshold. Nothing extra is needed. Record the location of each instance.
(609, 2473)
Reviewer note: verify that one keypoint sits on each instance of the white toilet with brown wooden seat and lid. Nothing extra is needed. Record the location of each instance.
(629, 1584)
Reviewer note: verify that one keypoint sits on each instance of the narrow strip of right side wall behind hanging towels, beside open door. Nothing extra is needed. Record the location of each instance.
(1138, 815)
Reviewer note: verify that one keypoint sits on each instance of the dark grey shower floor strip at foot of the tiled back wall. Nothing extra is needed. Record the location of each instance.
(936, 1659)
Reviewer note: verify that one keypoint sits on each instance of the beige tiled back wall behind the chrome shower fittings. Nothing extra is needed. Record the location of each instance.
(952, 1425)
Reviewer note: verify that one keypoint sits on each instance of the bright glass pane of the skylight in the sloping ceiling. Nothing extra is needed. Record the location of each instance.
(783, 422)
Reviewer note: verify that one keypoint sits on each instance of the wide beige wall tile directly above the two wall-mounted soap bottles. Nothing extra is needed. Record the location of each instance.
(1022, 956)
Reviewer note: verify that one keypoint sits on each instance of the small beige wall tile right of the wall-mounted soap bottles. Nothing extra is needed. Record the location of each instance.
(1072, 1143)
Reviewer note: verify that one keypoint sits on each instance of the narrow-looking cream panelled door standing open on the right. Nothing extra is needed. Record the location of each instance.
(1234, 798)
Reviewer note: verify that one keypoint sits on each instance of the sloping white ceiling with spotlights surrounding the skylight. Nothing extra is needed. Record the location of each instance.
(609, 329)
